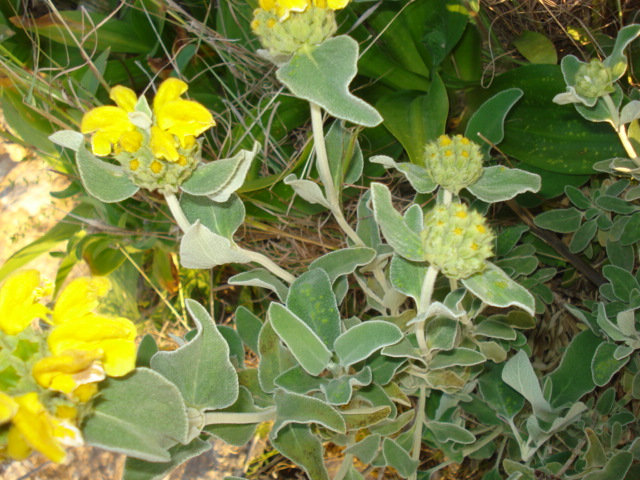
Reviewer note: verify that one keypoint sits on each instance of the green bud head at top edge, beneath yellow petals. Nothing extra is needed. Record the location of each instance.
(300, 29)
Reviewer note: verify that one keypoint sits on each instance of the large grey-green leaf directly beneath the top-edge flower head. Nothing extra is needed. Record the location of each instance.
(323, 74)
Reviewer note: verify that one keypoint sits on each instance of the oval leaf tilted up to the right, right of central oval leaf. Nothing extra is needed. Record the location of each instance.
(361, 341)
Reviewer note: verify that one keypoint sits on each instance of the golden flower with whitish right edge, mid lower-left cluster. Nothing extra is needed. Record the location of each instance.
(69, 370)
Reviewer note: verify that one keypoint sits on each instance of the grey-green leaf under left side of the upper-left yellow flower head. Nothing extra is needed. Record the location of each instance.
(108, 183)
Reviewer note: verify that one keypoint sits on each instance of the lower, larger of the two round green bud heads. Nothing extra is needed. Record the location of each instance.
(457, 240)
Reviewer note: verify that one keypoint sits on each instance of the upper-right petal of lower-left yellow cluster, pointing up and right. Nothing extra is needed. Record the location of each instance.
(80, 297)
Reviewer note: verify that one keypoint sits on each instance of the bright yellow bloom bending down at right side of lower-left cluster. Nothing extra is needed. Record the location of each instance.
(112, 338)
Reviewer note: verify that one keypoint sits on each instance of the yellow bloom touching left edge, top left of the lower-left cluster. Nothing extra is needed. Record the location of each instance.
(18, 302)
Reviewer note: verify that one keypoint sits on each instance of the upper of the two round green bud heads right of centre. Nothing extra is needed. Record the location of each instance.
(453, 162)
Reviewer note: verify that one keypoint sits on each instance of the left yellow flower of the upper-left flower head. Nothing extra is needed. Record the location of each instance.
(111, 125)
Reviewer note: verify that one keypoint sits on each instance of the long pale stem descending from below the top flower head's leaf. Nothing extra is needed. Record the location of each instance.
(324, 171)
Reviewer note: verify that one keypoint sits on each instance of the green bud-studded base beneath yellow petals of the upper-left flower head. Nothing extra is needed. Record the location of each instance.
(155, 173)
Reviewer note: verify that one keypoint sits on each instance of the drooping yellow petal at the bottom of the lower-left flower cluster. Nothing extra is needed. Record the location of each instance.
(36, 427)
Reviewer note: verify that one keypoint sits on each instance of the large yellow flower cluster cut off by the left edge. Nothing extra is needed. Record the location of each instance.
(48, 372)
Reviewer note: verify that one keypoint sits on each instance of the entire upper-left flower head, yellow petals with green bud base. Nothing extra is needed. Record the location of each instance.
(158, 148)
